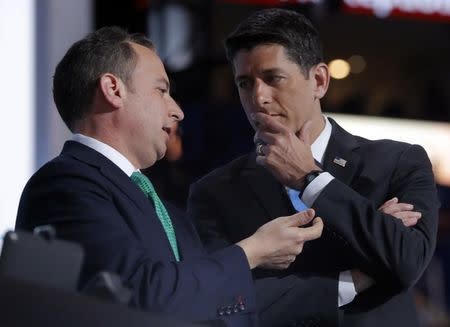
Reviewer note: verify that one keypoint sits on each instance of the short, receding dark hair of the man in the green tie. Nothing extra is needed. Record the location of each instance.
(107, 50)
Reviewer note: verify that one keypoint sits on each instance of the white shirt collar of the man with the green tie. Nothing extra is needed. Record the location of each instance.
(109, 152)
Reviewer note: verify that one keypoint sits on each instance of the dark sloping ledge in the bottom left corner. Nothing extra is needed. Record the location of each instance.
(24, 304)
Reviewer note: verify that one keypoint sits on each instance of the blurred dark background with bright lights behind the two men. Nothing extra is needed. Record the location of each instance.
(390, 62)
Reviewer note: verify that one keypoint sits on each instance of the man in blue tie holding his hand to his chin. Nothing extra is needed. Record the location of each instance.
(306, 159)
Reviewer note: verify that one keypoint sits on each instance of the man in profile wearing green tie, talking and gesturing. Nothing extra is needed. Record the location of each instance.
(112, 91)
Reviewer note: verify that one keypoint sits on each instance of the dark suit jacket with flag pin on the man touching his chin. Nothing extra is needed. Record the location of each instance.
(356, 234)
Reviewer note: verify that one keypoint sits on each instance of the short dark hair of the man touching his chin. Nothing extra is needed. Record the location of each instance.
(287, 28)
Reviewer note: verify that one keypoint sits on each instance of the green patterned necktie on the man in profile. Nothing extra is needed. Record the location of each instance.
(147, 187)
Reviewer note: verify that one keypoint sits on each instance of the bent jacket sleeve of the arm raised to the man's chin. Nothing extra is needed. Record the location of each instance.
(386, 247)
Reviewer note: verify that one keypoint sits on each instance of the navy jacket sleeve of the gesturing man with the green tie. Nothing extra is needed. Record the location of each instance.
(204, 287)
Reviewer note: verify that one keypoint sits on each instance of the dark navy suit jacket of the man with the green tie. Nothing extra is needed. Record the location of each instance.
(91, 201)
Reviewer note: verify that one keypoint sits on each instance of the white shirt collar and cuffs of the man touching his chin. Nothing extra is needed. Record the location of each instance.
(346, 288)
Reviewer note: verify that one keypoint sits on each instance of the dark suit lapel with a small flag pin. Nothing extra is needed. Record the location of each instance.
(340, 160)
